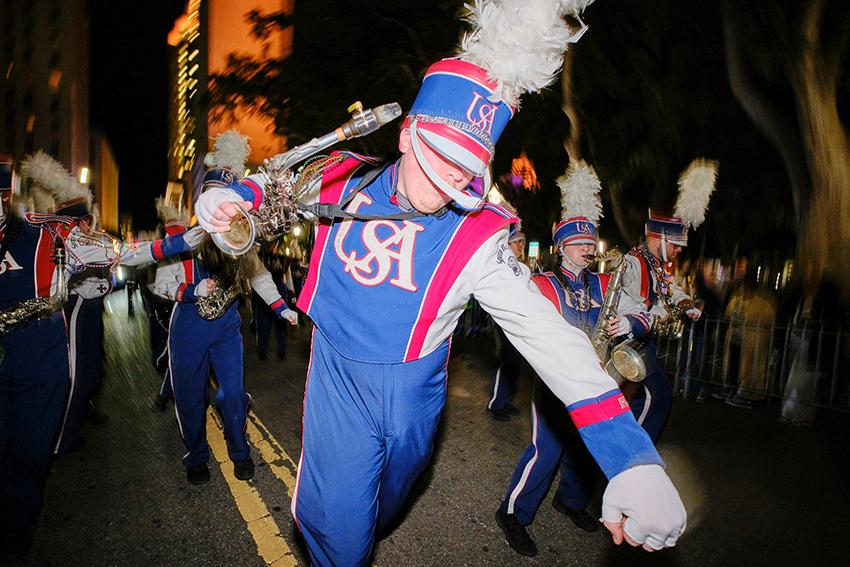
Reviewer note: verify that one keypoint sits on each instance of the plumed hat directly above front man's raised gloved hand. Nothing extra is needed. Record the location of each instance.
(227, 162)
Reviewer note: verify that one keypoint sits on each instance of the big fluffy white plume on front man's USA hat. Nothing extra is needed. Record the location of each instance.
(520, 43)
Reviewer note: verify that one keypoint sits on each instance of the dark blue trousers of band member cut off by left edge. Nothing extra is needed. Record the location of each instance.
(33, 387)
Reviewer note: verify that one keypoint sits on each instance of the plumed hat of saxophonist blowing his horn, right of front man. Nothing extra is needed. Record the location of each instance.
(581, 206)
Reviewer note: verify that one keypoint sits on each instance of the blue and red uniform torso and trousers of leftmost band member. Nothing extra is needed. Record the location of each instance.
(33, 372)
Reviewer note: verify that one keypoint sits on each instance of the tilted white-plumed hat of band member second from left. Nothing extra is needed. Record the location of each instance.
(72, 197)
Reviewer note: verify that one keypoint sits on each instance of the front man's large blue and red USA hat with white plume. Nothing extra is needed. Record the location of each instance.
(464, 103)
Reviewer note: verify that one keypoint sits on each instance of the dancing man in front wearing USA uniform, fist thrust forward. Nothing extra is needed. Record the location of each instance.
(386, 294)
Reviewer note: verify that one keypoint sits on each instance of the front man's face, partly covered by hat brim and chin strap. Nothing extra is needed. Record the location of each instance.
(414, 184)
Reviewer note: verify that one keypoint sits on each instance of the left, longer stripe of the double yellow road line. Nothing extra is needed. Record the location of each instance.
(271, 545)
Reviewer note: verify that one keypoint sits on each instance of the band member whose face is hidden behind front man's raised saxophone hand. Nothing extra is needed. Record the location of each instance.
(196, 344)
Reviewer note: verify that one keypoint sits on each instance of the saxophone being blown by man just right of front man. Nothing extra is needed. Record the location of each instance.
(625, 361)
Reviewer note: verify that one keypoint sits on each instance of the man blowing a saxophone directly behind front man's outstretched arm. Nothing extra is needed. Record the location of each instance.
(578, 295)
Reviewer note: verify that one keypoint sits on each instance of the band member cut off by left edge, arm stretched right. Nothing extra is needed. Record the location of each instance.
(34, 370)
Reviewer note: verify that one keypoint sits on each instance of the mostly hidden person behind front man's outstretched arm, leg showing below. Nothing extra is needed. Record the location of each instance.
(504, 385)
